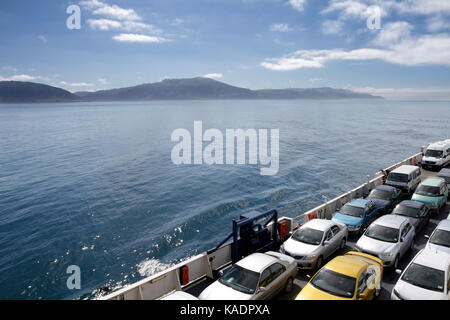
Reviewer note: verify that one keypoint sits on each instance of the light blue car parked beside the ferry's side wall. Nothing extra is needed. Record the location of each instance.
(357, 214)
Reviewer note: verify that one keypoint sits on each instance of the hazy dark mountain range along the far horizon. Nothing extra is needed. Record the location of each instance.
(169, 89)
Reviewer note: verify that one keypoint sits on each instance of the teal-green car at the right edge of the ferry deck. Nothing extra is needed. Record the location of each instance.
(433, 192)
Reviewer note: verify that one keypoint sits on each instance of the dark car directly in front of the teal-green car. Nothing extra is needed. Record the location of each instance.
(417, 212)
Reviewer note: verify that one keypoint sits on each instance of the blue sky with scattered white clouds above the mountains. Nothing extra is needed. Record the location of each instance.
(397, 49)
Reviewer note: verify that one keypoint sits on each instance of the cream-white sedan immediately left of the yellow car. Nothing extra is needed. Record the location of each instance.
(259, 276)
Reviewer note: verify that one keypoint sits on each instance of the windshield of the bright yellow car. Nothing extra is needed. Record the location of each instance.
(334, 283)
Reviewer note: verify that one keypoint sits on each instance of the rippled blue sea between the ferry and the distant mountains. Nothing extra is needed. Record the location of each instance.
(93, 184)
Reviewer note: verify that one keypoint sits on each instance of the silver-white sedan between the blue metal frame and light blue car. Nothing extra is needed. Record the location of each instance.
(314, 242)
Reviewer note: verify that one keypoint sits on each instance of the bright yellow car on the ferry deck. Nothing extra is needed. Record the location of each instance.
(353, 276)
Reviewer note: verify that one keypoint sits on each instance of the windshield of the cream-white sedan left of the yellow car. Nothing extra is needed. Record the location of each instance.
(240, 279)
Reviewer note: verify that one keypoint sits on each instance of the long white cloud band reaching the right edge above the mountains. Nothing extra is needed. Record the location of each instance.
(424, 50)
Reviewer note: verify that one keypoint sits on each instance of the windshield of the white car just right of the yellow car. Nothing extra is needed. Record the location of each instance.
(424, 277)
